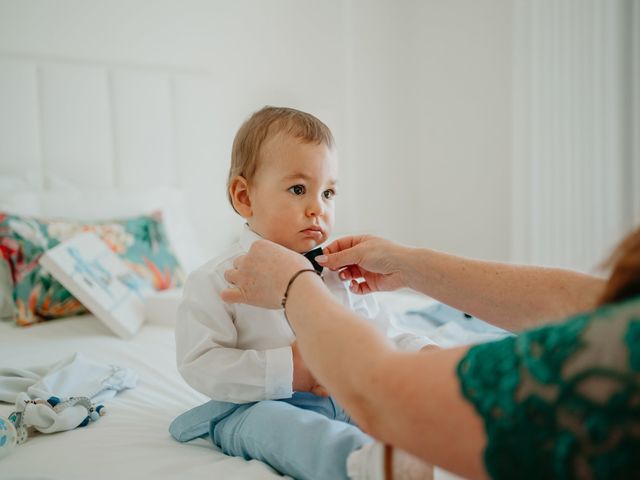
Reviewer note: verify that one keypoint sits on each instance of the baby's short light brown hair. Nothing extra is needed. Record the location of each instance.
(264, 124)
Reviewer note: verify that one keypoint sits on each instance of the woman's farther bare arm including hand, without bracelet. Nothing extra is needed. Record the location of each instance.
(510, 296)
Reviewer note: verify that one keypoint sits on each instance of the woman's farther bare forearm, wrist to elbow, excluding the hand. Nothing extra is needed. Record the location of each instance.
(510, 296)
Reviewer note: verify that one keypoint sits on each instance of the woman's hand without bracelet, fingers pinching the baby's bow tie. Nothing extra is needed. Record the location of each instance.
(376, 261)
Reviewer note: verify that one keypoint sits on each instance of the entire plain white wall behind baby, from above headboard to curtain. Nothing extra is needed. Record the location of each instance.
(417, 93)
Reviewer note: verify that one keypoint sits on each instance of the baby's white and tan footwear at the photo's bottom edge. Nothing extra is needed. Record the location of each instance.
(367, 463)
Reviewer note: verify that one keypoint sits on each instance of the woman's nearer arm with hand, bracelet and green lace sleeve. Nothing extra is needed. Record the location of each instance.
(522, 387)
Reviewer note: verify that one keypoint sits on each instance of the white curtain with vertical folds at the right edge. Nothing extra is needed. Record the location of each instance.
(576, 187)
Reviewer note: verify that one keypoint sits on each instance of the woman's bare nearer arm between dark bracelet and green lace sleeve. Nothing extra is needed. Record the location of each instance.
(411, 401)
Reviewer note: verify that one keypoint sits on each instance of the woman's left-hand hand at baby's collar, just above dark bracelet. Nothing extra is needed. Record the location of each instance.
(260, 277)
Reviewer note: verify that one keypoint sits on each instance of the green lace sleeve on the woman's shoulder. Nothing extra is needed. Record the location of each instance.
(562, 401)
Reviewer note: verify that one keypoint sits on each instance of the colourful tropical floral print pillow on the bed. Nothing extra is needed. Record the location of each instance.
(36, 296)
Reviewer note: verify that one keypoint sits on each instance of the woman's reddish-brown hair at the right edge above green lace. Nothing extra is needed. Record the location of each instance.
(624, 281)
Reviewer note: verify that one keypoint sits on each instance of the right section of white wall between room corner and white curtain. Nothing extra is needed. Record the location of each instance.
(432, 113)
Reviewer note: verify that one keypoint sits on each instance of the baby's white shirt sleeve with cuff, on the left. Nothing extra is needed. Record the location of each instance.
(207, 357)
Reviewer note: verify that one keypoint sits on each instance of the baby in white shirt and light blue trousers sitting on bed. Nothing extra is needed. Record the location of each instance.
(266, 405)
